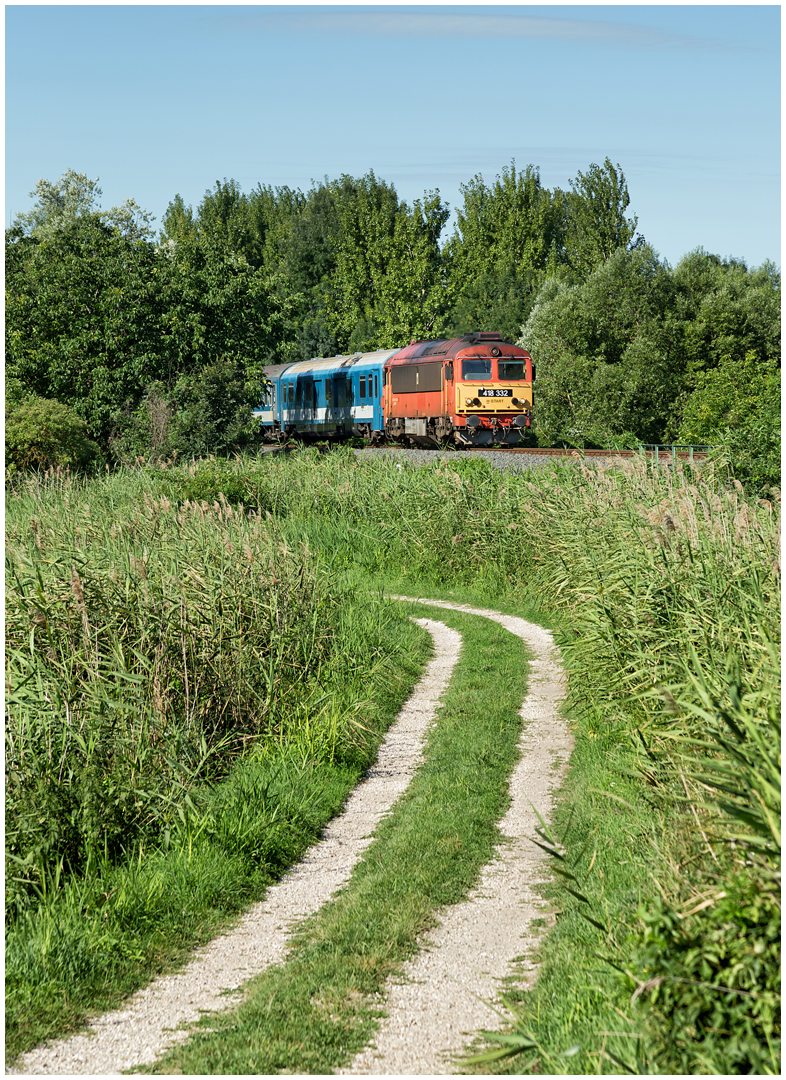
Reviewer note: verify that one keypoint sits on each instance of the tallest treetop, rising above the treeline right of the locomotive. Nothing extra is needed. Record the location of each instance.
(598, 226)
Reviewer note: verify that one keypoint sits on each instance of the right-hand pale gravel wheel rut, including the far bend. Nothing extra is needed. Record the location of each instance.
(445, 997)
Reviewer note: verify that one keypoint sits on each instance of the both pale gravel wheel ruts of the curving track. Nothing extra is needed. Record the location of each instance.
(444, 1000)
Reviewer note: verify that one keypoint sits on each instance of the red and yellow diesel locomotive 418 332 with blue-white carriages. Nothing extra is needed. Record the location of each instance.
(476, 390)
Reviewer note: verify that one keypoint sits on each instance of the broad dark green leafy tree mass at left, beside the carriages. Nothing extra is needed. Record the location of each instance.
(94, 318)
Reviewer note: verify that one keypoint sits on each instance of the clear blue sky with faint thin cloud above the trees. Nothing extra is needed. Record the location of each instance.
(157, 101)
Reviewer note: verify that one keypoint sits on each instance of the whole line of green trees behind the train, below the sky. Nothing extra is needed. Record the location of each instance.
(157, 344)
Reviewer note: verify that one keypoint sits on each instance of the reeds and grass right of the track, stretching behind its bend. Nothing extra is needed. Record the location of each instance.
(668, 587)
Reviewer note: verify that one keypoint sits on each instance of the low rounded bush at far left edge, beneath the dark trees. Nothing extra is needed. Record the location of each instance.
(43, 434)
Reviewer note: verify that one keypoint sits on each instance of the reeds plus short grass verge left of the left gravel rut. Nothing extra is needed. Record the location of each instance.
(189, 700)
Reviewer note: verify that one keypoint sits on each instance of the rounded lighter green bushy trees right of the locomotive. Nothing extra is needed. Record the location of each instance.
(625, 352)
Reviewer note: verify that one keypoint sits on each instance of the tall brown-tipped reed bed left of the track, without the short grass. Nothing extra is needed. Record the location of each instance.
(147, 646)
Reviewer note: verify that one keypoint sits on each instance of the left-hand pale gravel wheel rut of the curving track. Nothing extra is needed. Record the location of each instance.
(140, 1033)
